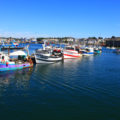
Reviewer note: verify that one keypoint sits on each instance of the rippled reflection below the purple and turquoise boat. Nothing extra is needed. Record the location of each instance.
(17, 79)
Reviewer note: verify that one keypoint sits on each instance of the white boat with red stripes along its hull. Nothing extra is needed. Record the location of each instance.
(71, 52)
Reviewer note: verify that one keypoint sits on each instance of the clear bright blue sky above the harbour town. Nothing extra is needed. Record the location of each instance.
(59, 18)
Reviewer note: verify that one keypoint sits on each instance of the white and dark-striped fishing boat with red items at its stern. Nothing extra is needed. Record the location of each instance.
(48, 55)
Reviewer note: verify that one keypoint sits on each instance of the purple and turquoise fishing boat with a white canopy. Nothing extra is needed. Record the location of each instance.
(20, 62)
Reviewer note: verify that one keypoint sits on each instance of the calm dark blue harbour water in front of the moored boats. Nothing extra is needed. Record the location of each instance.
(87, 88)
